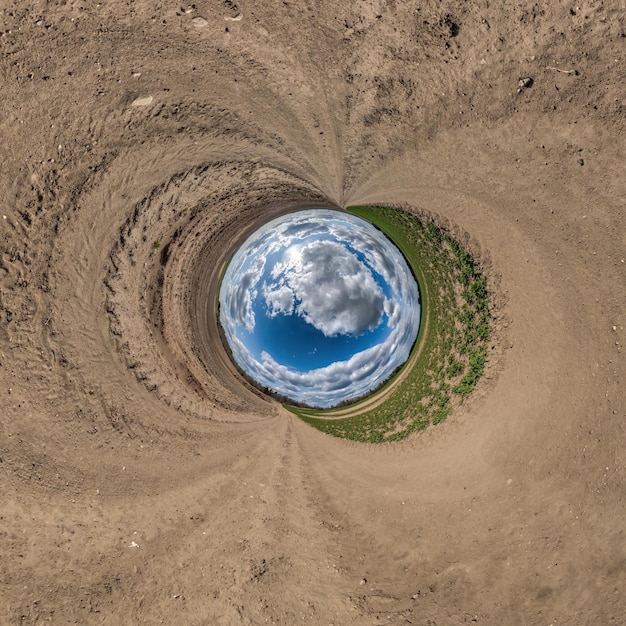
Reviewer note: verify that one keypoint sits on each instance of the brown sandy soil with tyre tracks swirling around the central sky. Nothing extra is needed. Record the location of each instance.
(140, 483)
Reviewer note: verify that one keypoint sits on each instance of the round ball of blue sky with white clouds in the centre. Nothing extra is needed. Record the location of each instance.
(319, 306)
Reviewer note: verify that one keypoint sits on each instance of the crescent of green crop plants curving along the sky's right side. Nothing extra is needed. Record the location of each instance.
(450, 353)
